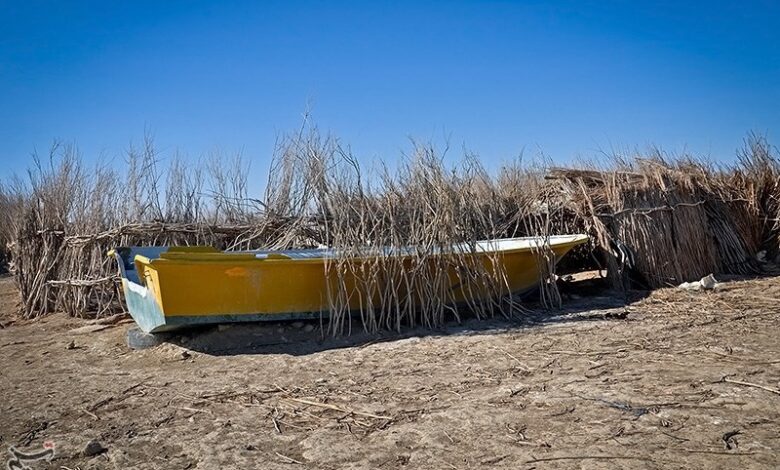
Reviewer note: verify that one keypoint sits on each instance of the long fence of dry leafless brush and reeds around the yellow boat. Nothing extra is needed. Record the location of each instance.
(655, 221)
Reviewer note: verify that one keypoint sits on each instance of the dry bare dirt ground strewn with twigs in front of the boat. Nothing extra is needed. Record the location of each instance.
(675, 380)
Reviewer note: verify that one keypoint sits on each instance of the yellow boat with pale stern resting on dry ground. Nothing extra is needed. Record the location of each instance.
(168, 288)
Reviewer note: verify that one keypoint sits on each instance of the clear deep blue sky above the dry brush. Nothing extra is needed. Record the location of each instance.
(569, 78)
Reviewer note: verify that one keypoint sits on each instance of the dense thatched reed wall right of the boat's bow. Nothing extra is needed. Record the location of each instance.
(666, 226)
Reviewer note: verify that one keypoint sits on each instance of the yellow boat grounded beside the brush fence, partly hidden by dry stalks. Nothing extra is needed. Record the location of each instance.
(172, 287)
